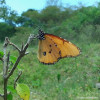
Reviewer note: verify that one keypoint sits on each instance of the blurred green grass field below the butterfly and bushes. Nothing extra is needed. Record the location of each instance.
(68, 79)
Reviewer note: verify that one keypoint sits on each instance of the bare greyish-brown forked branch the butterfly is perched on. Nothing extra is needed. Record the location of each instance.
(22, 52)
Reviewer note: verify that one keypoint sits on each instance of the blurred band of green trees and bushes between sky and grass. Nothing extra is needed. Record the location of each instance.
(77, 23)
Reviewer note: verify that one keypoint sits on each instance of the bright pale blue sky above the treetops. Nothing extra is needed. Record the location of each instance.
(24, 5)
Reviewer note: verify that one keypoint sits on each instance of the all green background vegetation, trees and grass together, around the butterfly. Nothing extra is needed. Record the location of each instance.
(69, 78)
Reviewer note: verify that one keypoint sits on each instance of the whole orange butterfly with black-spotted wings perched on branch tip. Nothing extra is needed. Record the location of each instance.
(52, 48)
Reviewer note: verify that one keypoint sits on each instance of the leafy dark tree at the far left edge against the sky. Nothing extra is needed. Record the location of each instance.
(8, 16)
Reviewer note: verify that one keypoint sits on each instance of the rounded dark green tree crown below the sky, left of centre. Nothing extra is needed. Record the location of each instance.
(29, 18)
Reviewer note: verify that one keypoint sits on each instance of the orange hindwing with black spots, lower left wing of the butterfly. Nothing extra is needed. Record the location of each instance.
(48, 53)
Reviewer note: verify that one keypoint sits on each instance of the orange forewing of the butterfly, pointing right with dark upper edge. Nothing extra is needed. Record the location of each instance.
(67, 48)
